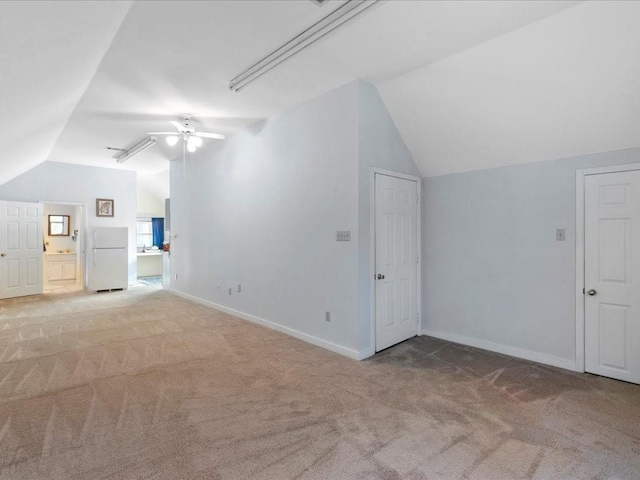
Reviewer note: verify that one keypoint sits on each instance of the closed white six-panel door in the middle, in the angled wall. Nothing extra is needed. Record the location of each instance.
(396, 257)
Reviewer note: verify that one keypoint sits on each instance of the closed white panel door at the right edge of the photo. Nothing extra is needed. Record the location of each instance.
(612, 275)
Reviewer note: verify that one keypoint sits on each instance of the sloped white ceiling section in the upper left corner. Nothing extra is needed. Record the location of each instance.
(49, 53)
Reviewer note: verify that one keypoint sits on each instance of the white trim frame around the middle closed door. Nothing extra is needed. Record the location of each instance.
(372, 249)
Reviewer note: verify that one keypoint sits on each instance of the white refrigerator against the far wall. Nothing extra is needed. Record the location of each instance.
(108, 258)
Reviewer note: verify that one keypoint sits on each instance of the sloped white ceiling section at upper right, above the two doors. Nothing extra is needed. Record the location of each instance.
(564, 86)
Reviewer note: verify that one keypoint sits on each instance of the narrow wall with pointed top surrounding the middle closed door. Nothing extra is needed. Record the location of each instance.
(380, 145)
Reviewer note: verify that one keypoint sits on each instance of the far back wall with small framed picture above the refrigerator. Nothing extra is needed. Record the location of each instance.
(60, 182)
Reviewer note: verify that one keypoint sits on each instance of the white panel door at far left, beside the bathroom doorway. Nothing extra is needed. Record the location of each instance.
(21, 249)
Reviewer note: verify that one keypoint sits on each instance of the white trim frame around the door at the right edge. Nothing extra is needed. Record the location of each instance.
(580, 251)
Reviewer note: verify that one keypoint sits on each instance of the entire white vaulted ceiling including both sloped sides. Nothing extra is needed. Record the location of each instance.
(464, 81)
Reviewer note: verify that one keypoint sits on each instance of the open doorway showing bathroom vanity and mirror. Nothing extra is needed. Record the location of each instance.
(64, 251)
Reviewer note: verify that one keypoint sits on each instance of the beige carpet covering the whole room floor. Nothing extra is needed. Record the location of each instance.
(142, 384)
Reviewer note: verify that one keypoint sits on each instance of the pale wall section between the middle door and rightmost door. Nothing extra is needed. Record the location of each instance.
(493, 270)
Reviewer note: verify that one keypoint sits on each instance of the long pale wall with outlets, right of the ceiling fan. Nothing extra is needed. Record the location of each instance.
(262, 209)
